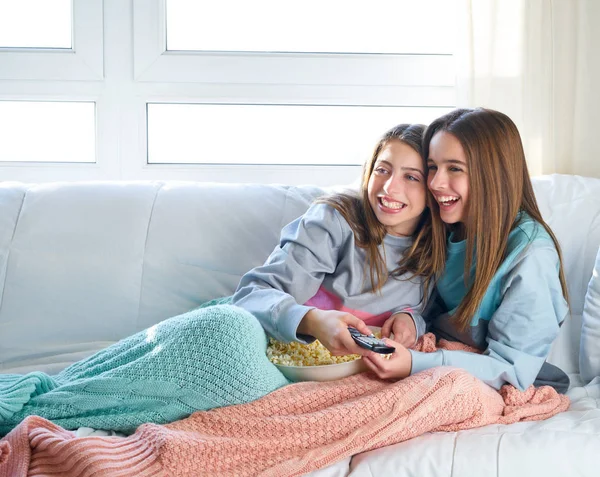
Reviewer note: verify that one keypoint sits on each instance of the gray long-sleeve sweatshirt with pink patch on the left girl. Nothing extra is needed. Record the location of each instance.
(317, 264)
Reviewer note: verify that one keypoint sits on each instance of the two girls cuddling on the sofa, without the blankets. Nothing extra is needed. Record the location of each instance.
(502, 289)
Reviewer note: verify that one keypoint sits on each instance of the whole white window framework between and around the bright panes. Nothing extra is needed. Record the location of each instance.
(125, 66)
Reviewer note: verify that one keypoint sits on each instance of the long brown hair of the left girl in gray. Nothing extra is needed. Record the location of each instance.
(369, 232)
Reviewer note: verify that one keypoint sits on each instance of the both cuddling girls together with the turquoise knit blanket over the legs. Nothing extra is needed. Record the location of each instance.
(371, 257)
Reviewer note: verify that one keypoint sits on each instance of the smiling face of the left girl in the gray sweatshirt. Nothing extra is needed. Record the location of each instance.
(396, 189)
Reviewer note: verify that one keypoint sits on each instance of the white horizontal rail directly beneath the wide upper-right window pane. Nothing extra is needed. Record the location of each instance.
(292, 69)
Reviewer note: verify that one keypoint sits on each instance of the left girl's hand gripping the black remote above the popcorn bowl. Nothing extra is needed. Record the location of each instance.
(330, 327)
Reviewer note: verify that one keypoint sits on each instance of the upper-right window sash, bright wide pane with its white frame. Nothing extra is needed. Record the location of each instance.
(404, 56)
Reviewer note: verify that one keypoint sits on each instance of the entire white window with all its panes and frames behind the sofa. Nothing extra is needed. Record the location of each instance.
(203, 90)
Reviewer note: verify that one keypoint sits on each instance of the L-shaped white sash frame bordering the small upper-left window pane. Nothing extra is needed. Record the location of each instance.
(84, 61)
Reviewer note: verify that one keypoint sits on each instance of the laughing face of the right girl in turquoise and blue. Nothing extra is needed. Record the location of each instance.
(448, 177)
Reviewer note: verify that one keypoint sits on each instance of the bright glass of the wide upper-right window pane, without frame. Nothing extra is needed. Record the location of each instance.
(310, 26)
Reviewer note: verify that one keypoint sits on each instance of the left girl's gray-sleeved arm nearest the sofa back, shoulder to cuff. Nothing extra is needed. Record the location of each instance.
(293, 273)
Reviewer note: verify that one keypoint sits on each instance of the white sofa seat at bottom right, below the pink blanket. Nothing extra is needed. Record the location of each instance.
(563, 445)
